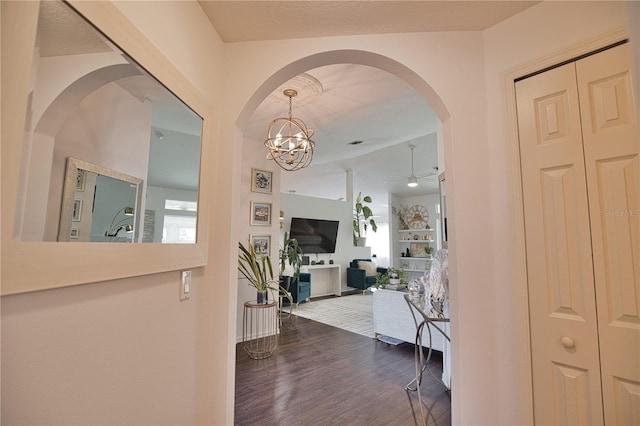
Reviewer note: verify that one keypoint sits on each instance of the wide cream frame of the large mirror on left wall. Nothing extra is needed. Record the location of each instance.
(29, 266)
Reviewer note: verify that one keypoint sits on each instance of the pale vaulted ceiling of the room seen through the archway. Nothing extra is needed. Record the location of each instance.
(357, 103)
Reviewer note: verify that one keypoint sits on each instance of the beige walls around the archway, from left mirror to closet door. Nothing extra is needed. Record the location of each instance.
(128, 352)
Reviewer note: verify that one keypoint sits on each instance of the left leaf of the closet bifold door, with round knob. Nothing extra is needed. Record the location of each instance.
(565, 362)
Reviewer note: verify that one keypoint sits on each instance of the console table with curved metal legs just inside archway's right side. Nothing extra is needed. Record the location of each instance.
(422, 320)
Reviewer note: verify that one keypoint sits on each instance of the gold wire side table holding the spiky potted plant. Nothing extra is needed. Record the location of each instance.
(260, 329)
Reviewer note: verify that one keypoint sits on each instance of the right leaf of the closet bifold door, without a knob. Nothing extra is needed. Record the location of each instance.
(611, 145)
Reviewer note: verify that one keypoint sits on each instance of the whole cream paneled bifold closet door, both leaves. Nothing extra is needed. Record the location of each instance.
(581, 189)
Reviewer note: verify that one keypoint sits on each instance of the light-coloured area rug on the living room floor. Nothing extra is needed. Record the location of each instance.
(352, 313)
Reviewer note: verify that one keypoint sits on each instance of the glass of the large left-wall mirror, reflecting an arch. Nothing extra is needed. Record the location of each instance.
(92, 102)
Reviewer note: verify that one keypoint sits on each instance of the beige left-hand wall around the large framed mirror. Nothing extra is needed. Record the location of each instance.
(128, 351)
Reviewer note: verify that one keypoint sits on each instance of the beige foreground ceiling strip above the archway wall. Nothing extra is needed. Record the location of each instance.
(276, 20)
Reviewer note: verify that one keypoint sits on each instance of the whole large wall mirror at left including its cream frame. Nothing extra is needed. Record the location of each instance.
(101, 144)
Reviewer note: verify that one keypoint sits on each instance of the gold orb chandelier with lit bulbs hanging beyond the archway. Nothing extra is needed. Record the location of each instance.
(289, 141)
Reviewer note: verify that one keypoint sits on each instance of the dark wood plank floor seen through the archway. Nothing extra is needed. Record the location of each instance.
(322, 375)
